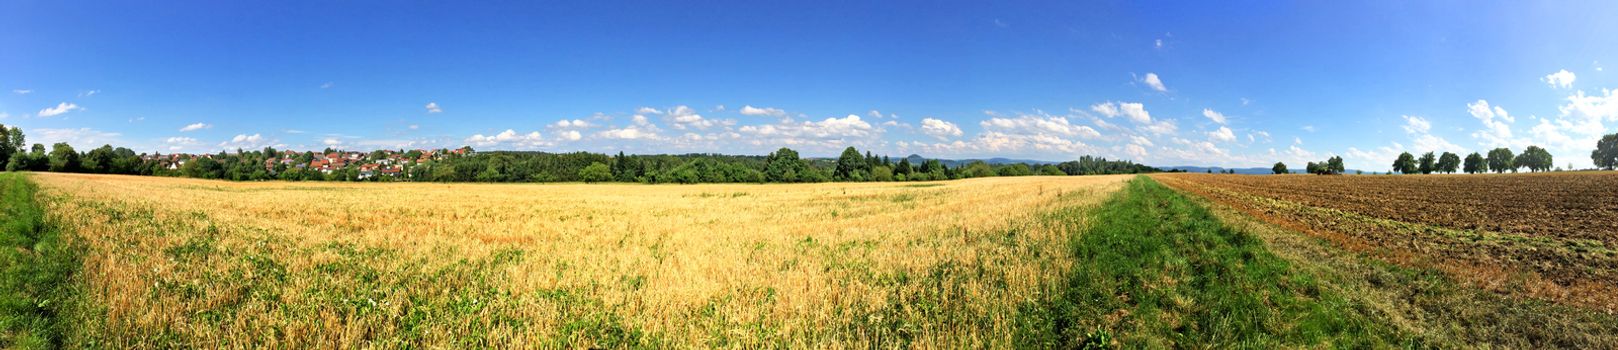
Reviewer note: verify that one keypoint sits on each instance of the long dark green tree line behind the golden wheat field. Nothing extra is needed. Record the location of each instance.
(784, 166)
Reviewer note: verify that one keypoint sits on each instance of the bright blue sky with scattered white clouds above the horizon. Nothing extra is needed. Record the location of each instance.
(1166, 83)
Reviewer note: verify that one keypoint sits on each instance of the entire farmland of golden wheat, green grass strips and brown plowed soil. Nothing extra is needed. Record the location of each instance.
(1012, 262)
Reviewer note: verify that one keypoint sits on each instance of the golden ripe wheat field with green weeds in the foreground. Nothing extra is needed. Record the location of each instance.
(200, 263)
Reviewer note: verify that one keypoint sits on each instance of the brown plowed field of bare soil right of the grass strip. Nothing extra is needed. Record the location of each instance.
(1544, 236)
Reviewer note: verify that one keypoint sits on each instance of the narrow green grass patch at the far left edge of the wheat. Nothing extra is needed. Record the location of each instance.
(36, 268)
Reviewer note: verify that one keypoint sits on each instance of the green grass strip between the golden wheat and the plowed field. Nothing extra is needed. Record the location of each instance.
(1156, 270)
